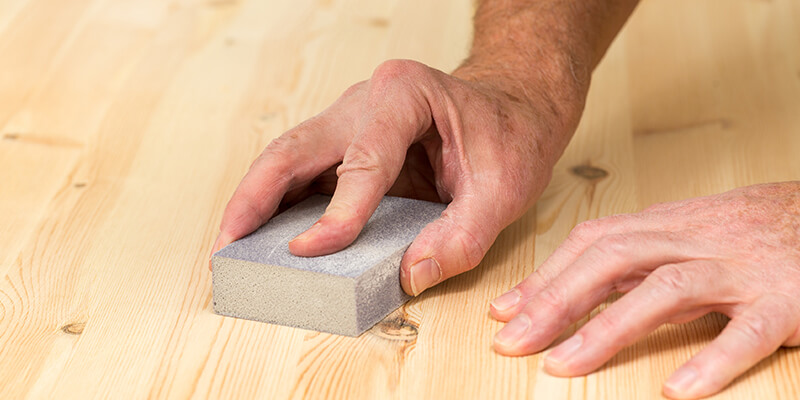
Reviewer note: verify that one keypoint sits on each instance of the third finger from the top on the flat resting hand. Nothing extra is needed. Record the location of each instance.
(669, 291)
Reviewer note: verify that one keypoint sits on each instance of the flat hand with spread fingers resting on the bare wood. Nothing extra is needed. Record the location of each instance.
(737, 253)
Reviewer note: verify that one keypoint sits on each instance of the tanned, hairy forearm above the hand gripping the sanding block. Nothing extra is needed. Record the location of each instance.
(544, 50)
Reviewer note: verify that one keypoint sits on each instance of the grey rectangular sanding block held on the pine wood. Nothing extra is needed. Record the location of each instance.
(346, 293)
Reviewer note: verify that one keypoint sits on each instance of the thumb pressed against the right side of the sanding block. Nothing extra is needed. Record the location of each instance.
(454, 243)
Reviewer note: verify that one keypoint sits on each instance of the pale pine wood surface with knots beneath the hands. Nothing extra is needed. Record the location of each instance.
(125, 126)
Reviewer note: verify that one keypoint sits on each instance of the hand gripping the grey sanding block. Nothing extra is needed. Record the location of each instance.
(417, 132)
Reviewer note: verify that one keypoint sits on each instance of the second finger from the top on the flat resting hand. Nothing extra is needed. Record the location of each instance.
(609, 263)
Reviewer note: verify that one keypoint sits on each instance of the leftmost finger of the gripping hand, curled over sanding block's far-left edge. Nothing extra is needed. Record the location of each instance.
(289, 161)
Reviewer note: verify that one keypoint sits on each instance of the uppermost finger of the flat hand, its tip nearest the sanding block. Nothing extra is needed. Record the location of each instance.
(582, 237)
